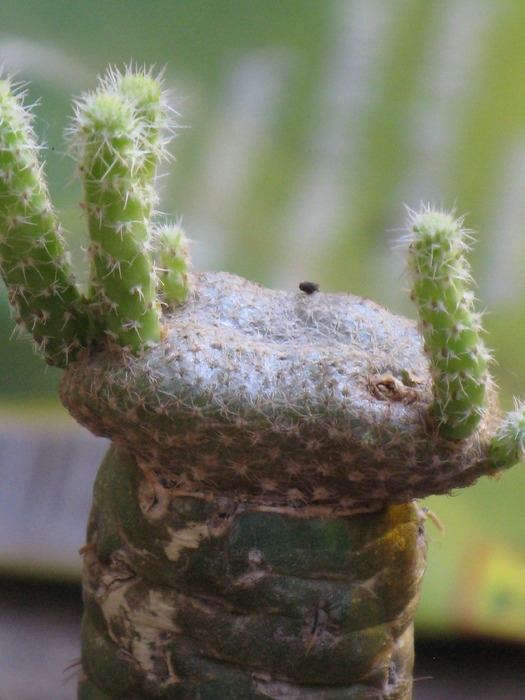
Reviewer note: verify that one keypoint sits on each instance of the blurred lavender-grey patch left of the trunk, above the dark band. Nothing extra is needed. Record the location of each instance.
(46, 476)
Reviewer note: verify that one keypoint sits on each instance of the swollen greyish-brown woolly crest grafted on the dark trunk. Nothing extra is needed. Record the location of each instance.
(279, 397)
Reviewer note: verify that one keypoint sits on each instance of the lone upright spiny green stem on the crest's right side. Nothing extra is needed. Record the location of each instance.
(451, 328)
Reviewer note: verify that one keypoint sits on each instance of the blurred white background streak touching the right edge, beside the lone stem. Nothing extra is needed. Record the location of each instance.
(503, 277)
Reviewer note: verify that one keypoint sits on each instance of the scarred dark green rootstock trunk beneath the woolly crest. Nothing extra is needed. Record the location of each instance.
(208, 597)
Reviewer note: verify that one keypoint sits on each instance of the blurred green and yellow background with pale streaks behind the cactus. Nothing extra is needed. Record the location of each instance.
(305, 127)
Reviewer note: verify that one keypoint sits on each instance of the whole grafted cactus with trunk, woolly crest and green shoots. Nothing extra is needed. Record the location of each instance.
(253, 531)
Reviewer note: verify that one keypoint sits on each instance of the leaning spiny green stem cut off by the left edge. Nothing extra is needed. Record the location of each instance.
(33, 260)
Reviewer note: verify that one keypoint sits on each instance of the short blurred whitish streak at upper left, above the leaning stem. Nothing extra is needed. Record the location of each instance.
(30, 60)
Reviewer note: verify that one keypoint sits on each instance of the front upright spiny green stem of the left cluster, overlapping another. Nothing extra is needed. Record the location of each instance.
(118, 206)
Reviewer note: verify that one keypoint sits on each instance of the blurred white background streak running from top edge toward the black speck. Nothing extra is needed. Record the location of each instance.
(343, 99)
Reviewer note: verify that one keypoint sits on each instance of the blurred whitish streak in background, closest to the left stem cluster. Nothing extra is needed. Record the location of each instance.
(249, 104)
